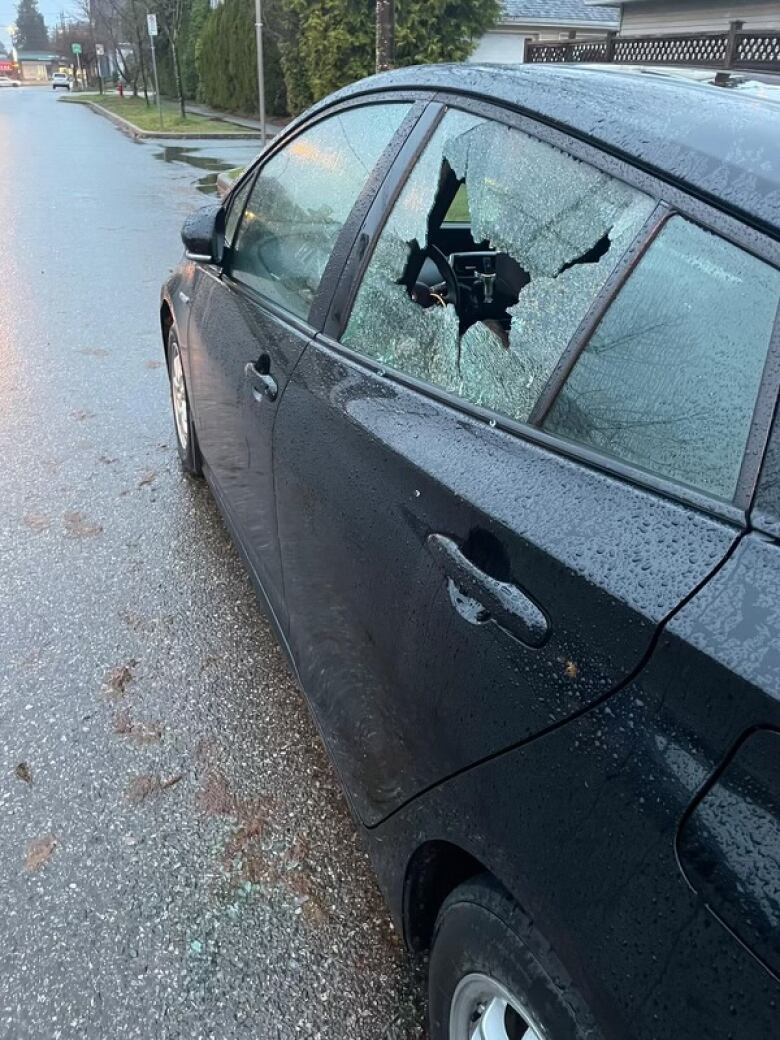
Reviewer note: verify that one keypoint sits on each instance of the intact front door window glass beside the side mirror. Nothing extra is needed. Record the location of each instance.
(302, 199)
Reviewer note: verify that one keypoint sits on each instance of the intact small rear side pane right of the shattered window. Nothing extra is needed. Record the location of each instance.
(670, 378)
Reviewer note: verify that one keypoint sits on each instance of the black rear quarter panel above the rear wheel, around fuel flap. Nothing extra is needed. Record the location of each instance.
(644, 945)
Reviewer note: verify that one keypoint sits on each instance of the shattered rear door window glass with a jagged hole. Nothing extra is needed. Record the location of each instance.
(491, 258)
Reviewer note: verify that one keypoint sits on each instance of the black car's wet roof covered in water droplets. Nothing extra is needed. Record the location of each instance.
(720, 144)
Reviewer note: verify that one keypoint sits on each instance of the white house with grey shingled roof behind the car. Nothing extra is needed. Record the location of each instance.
(531, 20)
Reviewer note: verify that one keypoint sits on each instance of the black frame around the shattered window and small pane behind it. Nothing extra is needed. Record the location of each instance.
(672, 199)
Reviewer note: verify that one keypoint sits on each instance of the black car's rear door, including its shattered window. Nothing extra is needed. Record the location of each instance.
(473, 556)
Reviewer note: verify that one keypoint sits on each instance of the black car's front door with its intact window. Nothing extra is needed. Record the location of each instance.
(252, 319)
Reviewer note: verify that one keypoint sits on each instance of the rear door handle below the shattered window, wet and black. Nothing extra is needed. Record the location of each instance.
(507, 605)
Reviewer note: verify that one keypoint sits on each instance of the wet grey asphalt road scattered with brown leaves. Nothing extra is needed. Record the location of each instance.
(176, 857)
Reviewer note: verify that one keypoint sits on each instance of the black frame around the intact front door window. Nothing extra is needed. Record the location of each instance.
(316, 318)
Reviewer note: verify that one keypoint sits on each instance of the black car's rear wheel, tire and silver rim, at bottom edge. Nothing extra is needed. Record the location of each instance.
(486, 955)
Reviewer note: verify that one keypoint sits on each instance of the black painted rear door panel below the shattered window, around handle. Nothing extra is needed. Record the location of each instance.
(386, 658)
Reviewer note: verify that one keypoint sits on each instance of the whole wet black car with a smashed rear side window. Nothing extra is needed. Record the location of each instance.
(482, 366)
